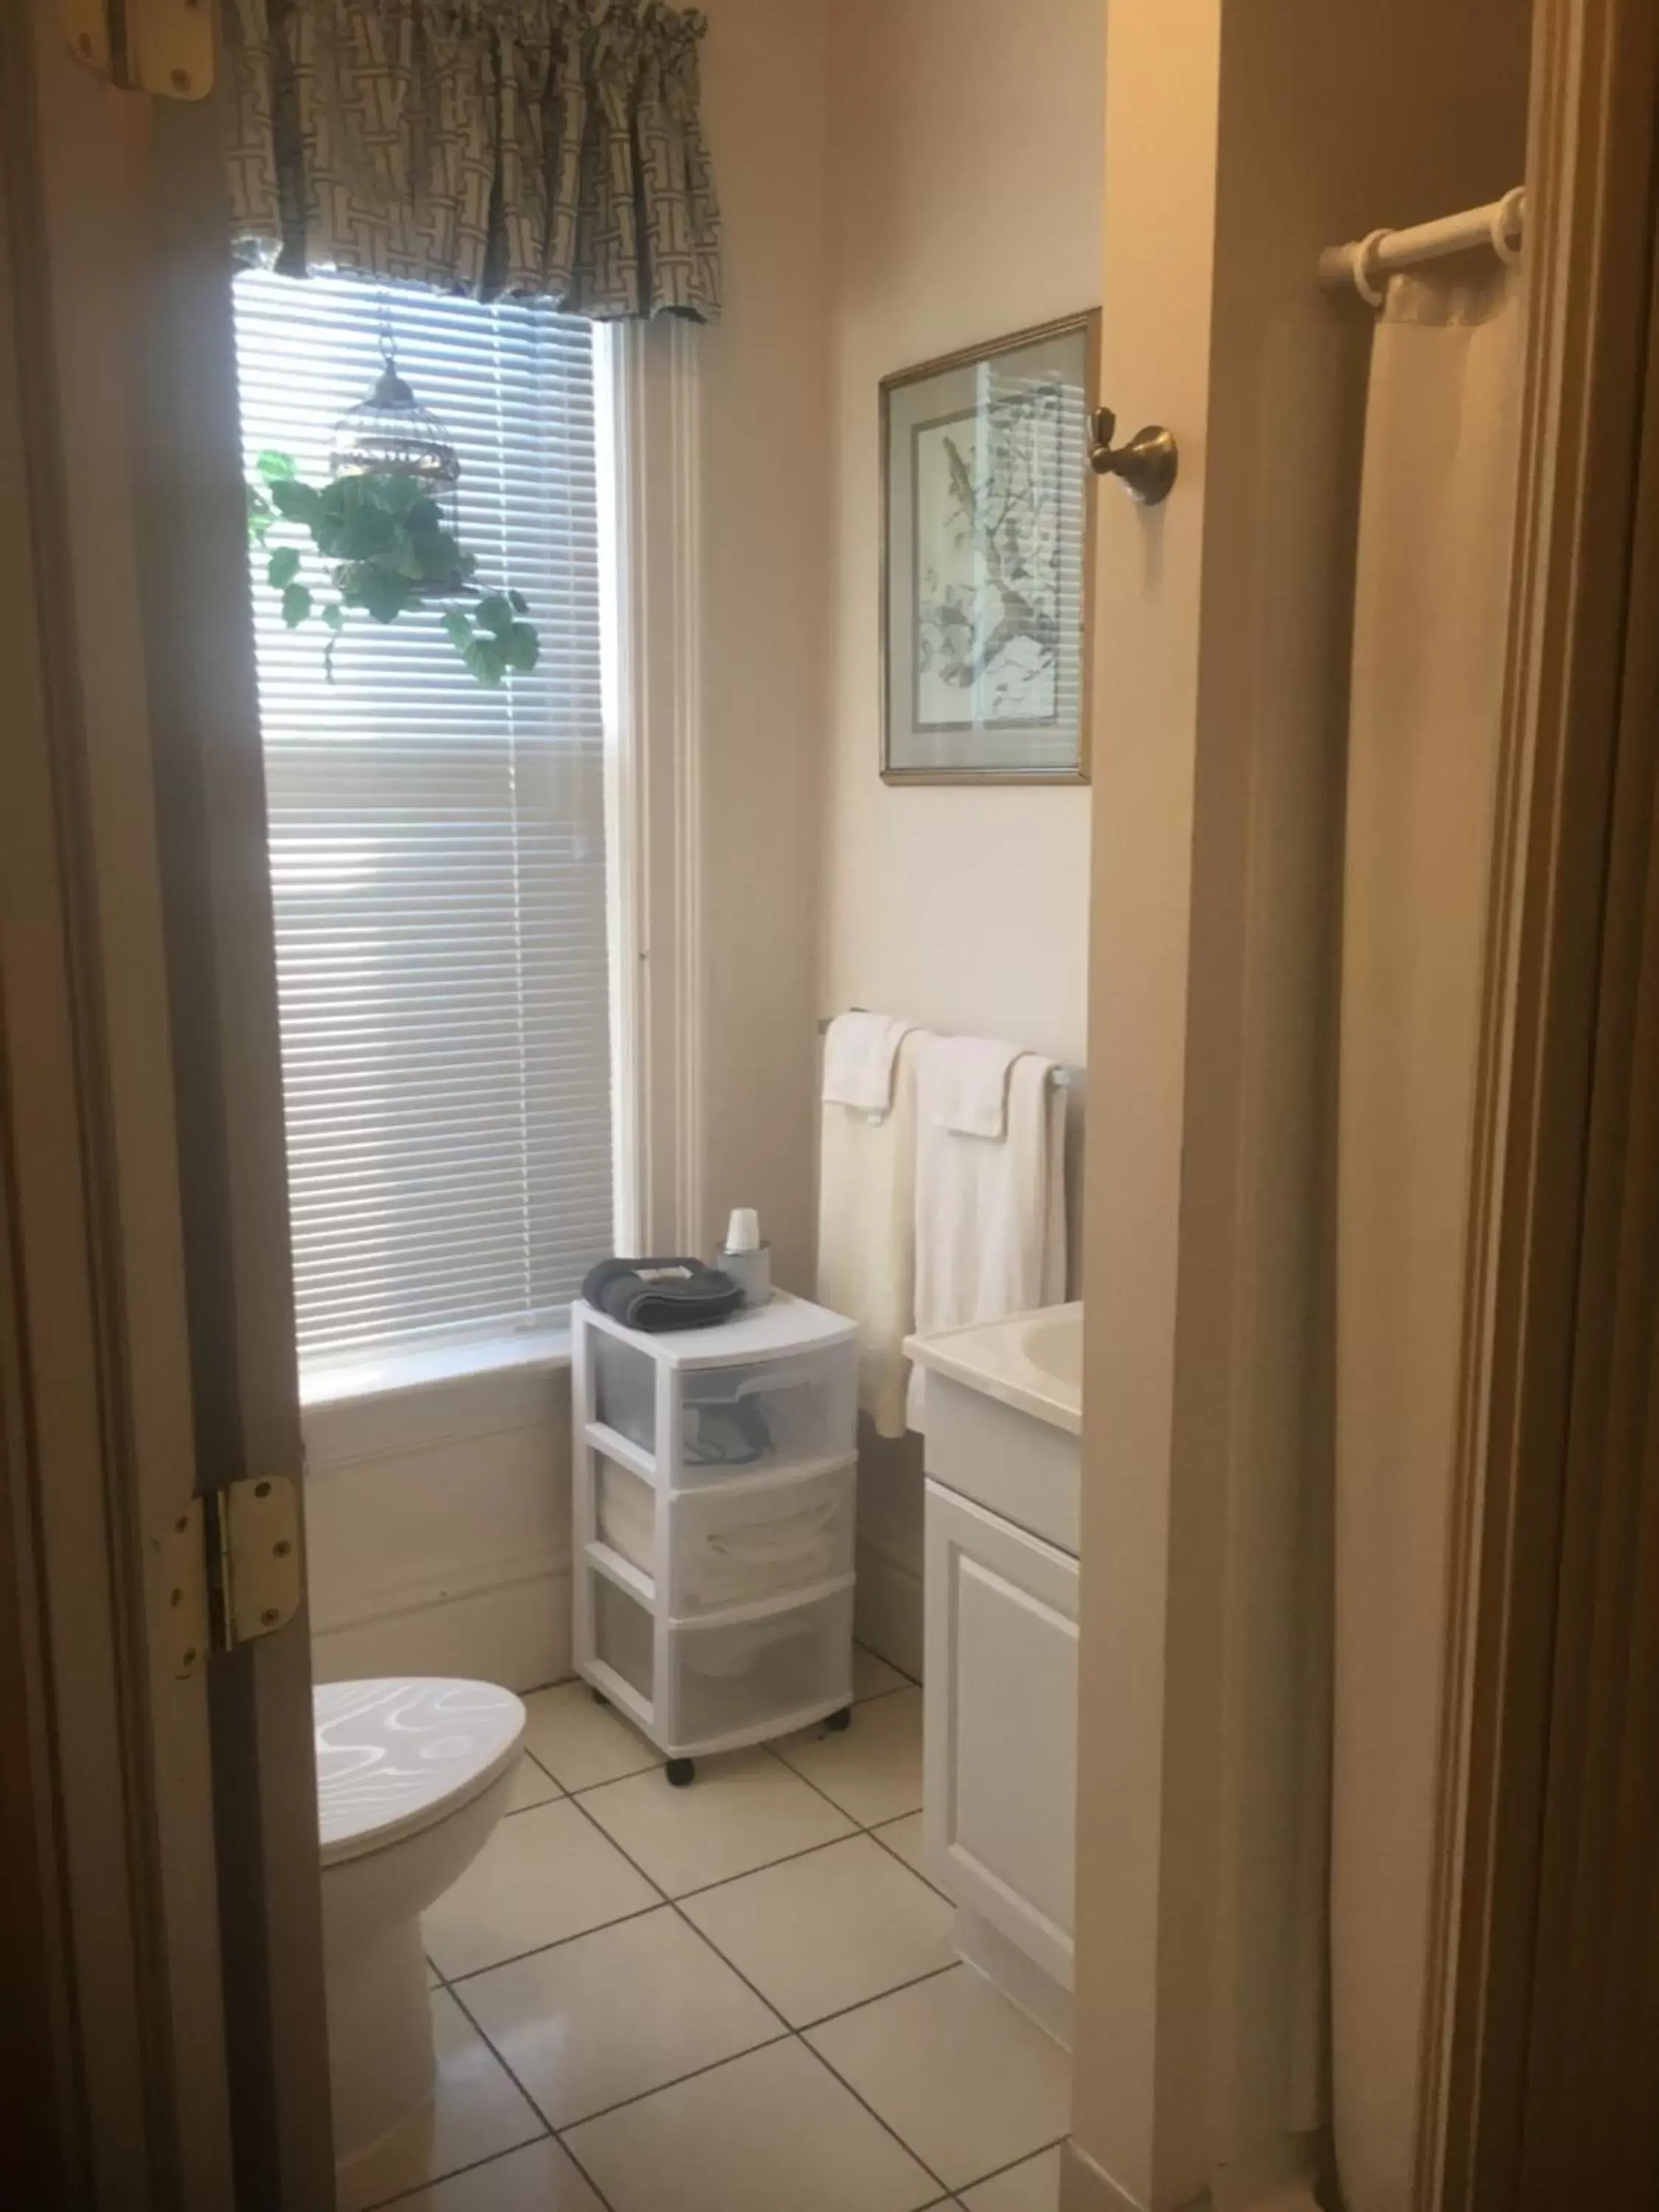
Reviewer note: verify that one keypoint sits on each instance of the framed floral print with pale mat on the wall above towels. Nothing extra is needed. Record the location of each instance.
(988, 561)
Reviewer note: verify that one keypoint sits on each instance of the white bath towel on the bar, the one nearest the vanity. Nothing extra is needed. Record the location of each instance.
(990, 1213)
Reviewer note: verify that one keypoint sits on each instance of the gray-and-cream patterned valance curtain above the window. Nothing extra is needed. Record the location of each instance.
(543, 149)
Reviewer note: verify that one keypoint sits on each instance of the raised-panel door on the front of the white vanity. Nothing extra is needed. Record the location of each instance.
(1003, 1726)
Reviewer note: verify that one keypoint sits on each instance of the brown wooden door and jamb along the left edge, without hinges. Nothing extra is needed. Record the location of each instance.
(145, 1326)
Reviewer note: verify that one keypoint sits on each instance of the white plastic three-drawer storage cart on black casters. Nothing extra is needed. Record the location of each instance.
(716, 1525)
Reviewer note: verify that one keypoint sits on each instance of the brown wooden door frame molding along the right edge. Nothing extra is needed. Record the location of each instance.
(1547, 1010)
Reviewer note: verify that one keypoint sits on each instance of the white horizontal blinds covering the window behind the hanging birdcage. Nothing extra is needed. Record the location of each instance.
(439, 848)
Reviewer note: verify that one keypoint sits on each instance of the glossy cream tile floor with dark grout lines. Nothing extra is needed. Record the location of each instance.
(729, 1999)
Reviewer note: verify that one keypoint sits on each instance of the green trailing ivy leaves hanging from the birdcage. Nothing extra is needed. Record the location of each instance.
(390, 554)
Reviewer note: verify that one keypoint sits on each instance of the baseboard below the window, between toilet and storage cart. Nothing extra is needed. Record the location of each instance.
(517, 1634)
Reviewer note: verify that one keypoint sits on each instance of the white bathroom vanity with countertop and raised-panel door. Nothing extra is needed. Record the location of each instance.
(1001, 1687)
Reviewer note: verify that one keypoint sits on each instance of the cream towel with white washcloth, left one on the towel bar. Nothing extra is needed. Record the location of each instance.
(868, 1202)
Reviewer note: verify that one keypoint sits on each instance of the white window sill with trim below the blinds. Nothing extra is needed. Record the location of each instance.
(410, 1401)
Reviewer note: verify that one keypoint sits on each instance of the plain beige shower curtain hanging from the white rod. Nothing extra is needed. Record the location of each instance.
(1432, 594)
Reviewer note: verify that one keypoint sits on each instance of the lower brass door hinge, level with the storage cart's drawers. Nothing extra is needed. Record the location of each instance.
(229, 1569)
